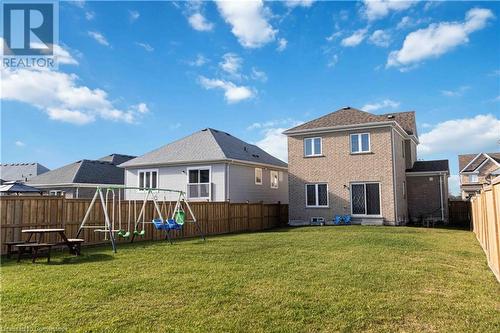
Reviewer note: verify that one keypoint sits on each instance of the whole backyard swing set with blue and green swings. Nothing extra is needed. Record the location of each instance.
(175, 218)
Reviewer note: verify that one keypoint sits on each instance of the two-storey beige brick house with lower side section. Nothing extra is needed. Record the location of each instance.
(358, 163)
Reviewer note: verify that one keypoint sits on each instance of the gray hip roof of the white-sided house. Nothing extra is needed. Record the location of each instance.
(205, 145)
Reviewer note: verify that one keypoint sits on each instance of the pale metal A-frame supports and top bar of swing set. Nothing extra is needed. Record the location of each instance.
(108, 226)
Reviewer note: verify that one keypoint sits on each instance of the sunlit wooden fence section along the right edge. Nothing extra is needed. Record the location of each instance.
(486, 223)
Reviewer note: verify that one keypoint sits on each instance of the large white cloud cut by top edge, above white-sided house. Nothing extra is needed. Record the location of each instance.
(249, 22)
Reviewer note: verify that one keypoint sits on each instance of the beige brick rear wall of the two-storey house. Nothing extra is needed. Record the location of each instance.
(338, 168)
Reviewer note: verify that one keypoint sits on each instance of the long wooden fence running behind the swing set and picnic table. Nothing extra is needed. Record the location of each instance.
(214, 218)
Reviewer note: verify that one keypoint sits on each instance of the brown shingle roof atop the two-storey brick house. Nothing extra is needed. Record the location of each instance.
(351, 116)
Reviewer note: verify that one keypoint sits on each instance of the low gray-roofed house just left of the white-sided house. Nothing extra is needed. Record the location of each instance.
(73, 180)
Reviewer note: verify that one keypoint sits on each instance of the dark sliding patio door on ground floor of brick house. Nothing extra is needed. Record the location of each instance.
(365, 198)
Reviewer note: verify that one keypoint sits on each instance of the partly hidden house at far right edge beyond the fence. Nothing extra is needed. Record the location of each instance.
(477, 170)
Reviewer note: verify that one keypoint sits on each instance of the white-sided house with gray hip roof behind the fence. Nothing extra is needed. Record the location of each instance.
(210, 165)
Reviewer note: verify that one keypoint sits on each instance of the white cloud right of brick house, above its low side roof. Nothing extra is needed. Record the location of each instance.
(459, 136)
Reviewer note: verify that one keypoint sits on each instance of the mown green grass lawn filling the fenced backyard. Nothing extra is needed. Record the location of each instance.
(306, 279)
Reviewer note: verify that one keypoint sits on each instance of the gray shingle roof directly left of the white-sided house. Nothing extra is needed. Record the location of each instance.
(84, 171)
